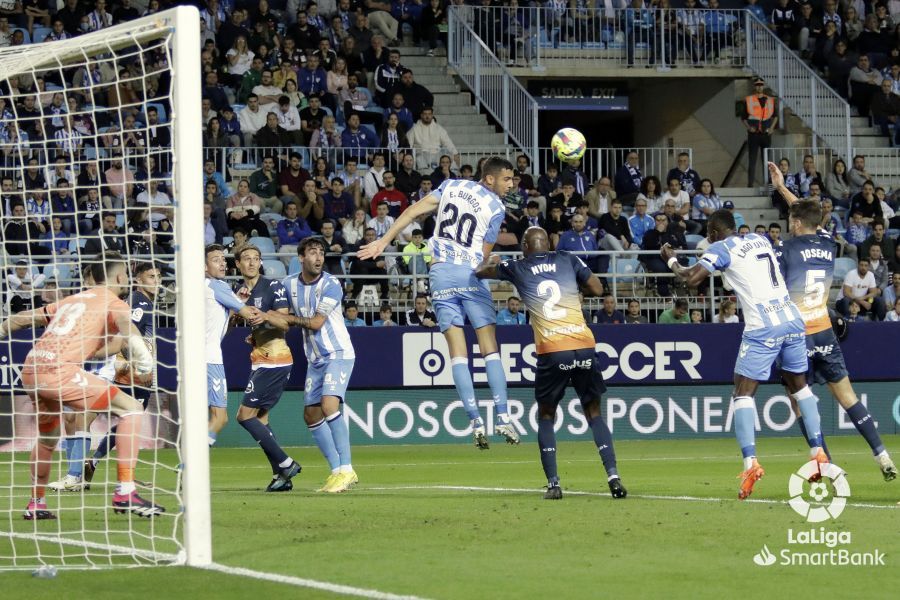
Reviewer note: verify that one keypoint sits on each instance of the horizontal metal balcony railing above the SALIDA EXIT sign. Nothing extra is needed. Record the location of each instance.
(541, 37)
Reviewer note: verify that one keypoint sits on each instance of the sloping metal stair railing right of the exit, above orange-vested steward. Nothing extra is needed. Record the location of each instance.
(798, 87)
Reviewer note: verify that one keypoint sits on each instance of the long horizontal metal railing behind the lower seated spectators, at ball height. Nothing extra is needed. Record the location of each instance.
(597, 162)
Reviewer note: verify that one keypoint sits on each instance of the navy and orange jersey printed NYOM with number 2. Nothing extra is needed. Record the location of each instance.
(548, 284)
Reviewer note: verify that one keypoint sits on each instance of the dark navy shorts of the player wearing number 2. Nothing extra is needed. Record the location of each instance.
(557, 370)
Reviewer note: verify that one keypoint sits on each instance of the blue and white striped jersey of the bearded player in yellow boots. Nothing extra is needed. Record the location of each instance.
(323, 296)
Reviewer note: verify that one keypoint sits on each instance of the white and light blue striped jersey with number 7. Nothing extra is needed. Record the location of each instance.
(750, 267)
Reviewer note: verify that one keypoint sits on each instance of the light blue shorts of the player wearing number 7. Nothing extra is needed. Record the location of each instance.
(761, 348)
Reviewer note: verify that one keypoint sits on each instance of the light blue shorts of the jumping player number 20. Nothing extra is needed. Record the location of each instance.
(456, 294)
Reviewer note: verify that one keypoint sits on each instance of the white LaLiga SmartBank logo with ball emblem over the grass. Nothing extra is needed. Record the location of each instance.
(825, 500)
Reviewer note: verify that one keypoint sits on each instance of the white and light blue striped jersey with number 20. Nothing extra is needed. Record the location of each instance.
(468, 215)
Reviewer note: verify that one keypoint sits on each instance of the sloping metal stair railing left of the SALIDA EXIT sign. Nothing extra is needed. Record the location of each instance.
(491, 83)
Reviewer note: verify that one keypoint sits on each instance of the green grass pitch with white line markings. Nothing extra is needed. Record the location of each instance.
(409, 527)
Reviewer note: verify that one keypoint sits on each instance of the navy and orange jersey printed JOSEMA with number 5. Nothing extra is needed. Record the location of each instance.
(807, 264)
